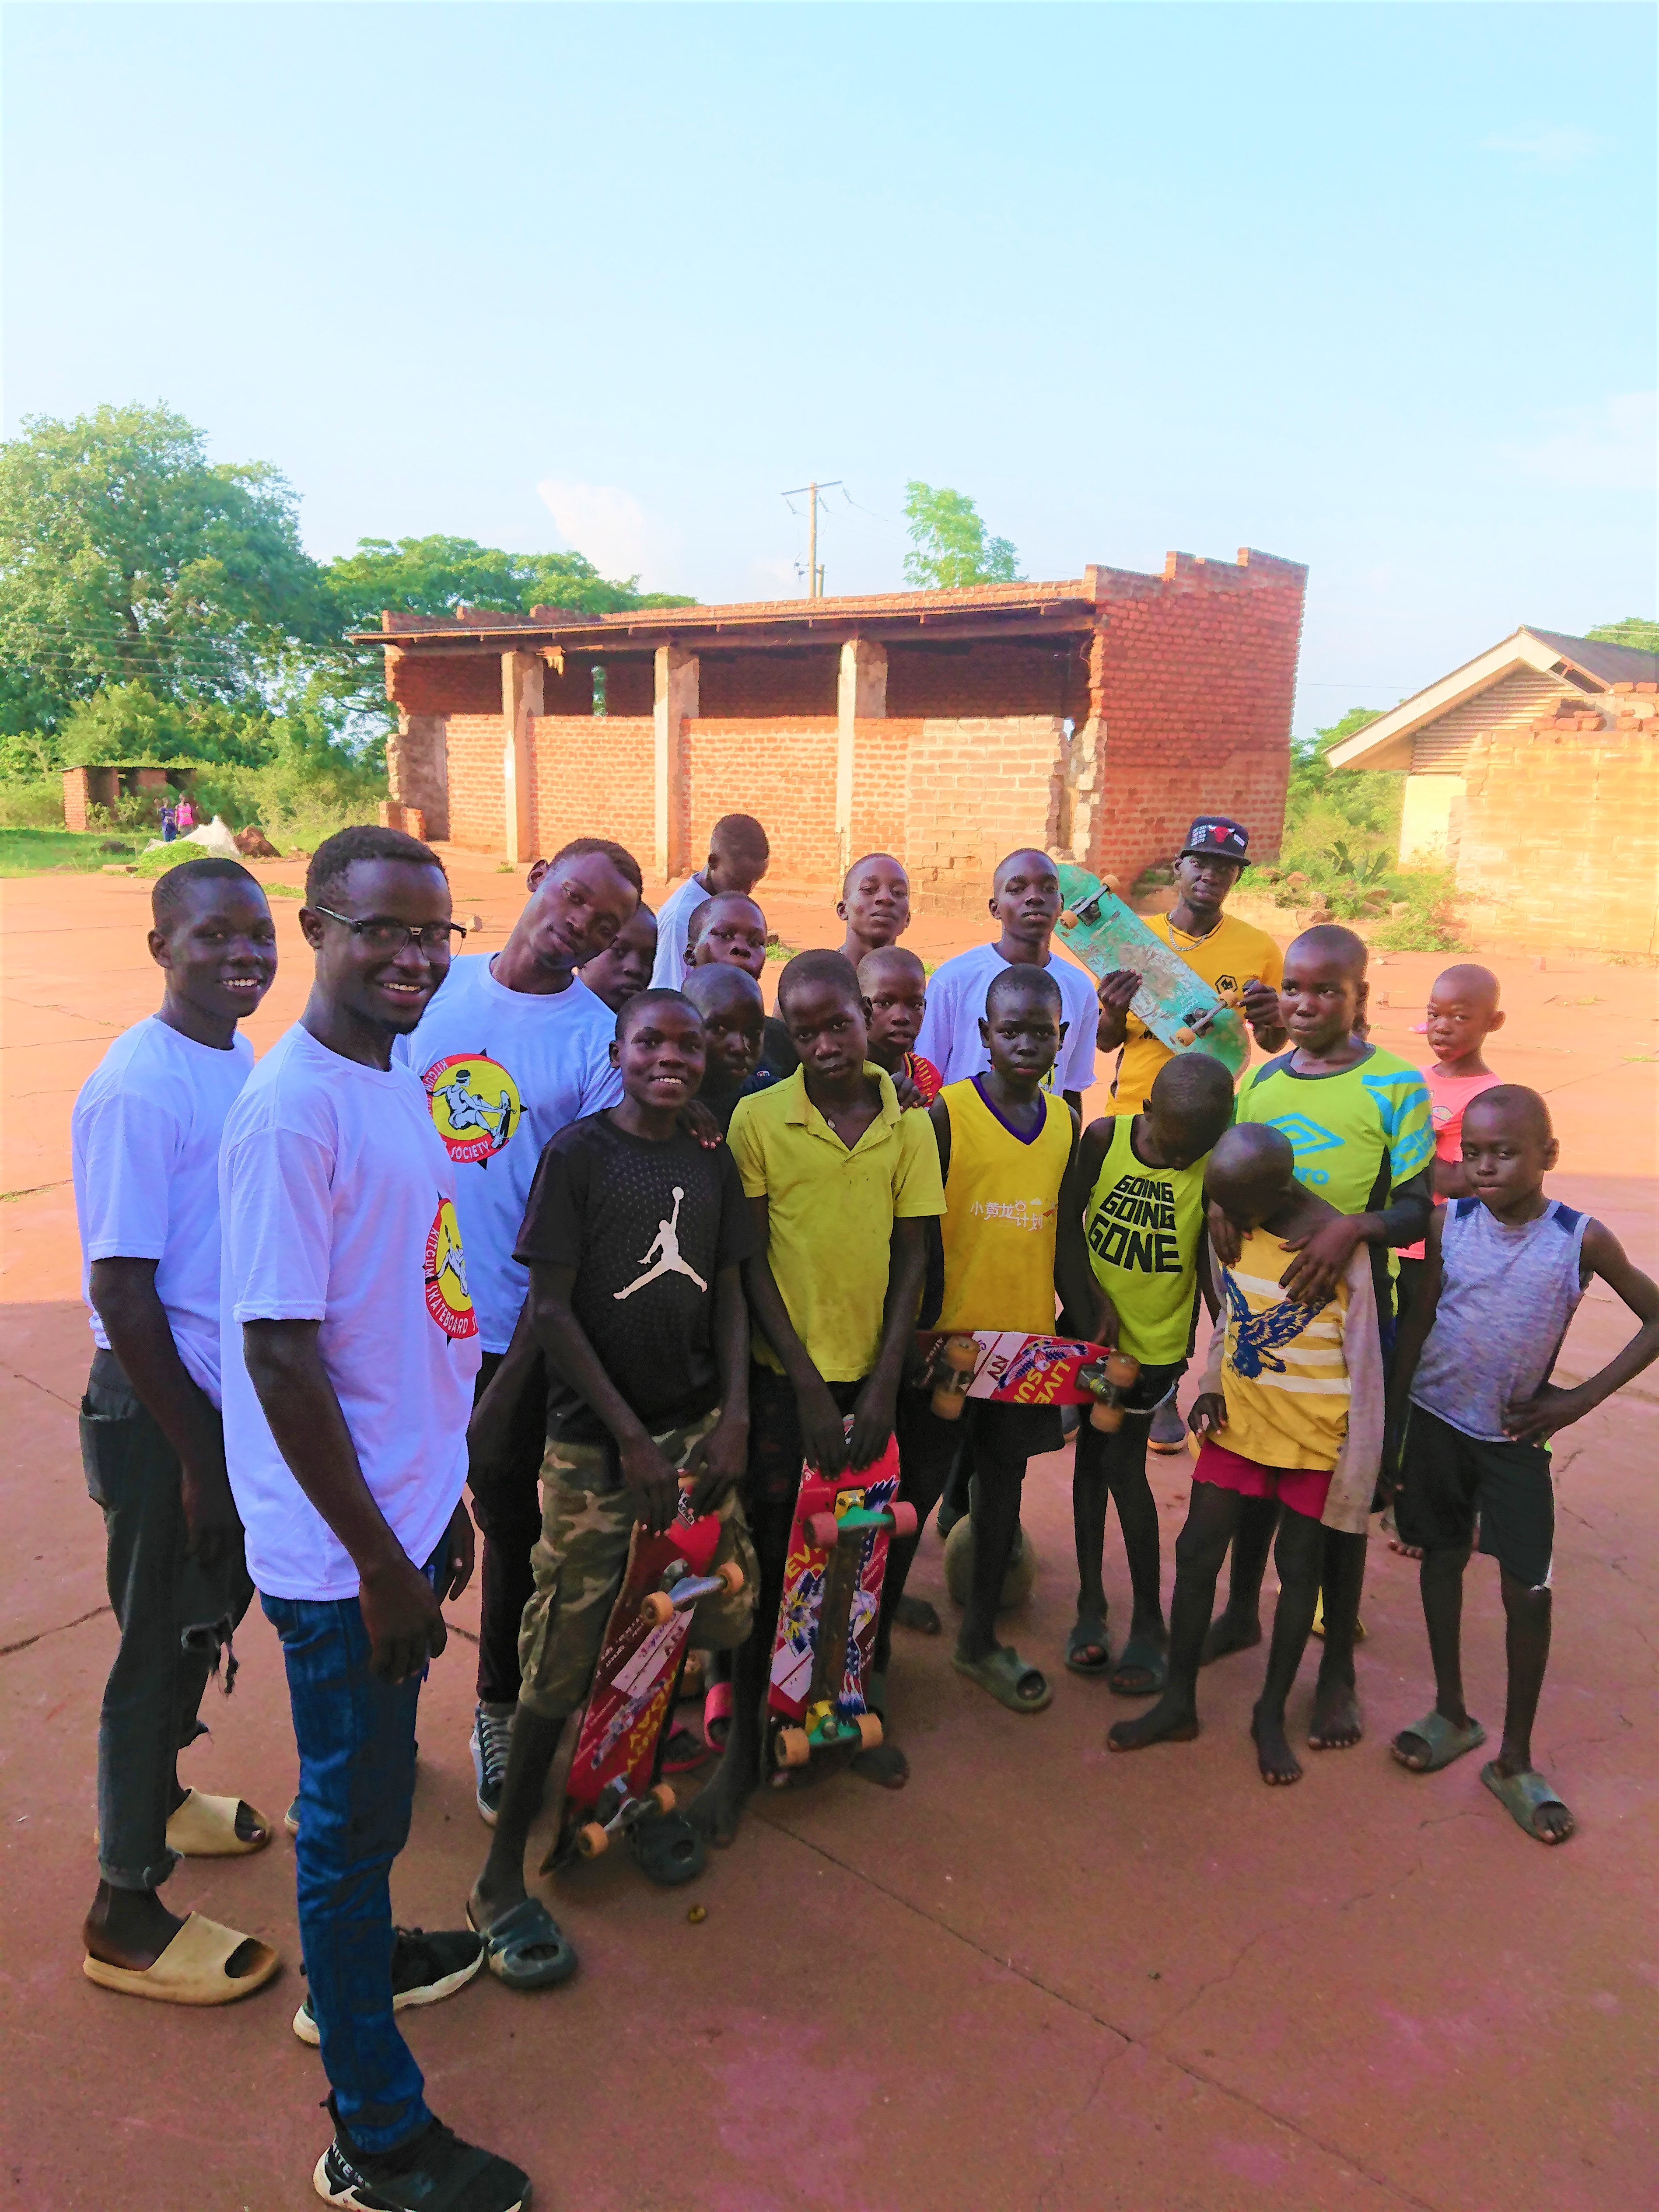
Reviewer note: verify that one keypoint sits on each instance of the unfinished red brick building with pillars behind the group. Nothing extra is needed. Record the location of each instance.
(946, 727)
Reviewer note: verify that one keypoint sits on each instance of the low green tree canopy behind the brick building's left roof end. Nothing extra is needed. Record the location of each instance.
(435, 576)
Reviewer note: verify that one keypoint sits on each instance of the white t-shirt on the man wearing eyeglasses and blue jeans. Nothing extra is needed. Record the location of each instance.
(340, 1207)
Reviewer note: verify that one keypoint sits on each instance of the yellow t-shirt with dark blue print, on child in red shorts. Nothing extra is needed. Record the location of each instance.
(1284, 1370)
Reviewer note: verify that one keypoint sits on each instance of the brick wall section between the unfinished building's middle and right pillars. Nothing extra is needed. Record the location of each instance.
(778, 769)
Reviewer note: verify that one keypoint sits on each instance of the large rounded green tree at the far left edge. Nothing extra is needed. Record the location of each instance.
(129, 559)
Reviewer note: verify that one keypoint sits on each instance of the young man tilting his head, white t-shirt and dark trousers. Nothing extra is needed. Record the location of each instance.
(512, 1050)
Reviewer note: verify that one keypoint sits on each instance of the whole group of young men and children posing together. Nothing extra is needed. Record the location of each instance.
(589, 1202)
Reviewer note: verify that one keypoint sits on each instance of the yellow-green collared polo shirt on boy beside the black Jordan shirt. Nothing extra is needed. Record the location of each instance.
(833, 1213)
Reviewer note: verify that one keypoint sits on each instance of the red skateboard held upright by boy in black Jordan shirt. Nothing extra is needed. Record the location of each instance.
(614, 1775)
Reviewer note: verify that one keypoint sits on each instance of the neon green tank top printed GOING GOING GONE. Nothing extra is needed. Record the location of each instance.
(1142, 1231)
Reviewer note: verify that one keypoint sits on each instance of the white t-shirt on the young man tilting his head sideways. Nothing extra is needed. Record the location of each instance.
(505, 1072)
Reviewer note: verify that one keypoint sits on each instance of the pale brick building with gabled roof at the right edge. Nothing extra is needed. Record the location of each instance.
(1534, 775)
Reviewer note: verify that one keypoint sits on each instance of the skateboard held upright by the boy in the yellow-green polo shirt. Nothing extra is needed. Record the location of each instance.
(828, 1616)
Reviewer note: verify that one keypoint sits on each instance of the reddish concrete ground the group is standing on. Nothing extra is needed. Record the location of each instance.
(1036, 1979)
